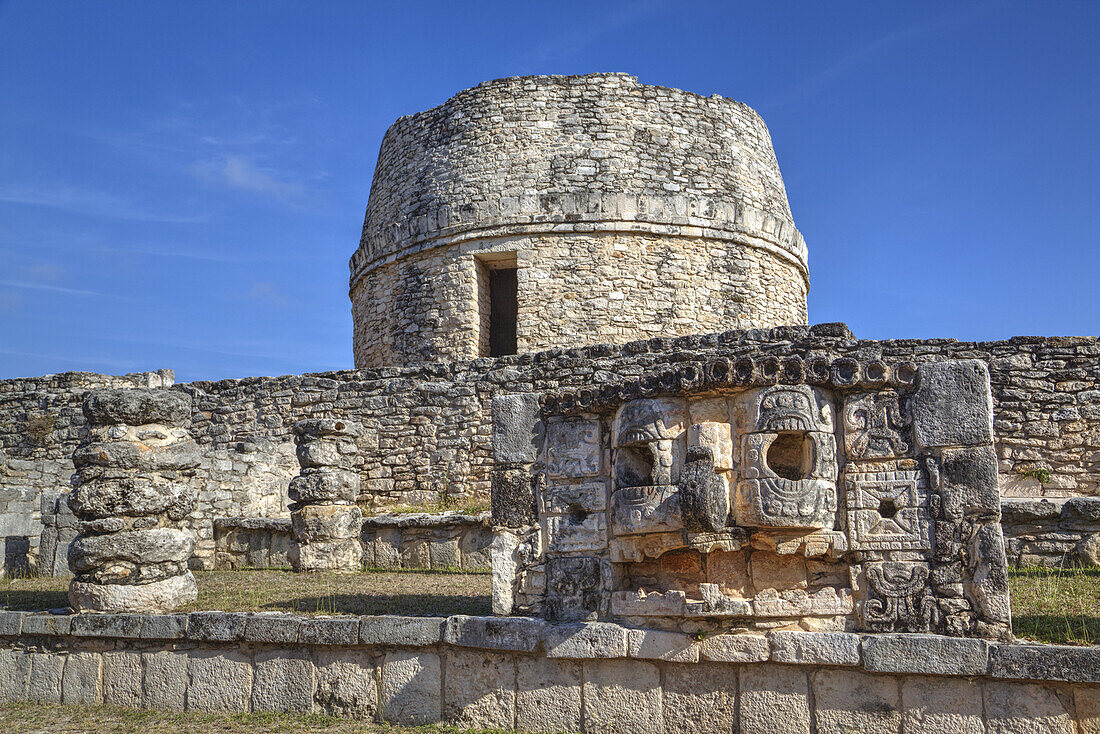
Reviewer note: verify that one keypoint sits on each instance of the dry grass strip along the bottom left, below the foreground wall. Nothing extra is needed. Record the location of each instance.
(51, 719)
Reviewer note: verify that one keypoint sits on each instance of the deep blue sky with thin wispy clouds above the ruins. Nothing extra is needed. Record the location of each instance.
(182, 184)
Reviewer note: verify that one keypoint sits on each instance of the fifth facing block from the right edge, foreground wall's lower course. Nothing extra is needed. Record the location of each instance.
(775, 700)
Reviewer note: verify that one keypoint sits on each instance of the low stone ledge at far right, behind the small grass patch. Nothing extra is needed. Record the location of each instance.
(1053, 533)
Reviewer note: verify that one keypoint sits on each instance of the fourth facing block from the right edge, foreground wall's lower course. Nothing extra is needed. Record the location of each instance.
(850, 702)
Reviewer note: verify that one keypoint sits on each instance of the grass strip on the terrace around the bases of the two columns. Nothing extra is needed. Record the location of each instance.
(282, 590)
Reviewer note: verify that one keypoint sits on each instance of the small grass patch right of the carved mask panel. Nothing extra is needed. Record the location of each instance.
(1057, 606)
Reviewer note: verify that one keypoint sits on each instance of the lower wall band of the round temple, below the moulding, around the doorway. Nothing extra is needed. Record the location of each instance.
(574, 289)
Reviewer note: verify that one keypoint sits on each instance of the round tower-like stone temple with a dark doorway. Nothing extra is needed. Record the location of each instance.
(534, 213)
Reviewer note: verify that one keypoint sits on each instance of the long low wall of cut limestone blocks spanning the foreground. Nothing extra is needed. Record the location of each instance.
(524, 674)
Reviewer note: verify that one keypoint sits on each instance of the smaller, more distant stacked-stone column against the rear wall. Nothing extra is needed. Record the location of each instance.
(325, 519)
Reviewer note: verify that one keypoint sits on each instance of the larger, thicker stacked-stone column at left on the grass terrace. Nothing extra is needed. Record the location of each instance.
(134, 494)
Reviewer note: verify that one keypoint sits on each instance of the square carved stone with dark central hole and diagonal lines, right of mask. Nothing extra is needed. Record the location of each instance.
(888, 511)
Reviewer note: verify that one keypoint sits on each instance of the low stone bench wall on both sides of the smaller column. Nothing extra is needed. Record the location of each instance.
(404, 542)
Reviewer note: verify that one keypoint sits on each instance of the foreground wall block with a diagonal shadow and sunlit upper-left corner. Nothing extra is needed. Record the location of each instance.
(411, 688)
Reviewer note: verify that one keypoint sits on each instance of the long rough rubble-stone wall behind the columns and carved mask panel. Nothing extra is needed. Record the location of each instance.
(428, 428)
